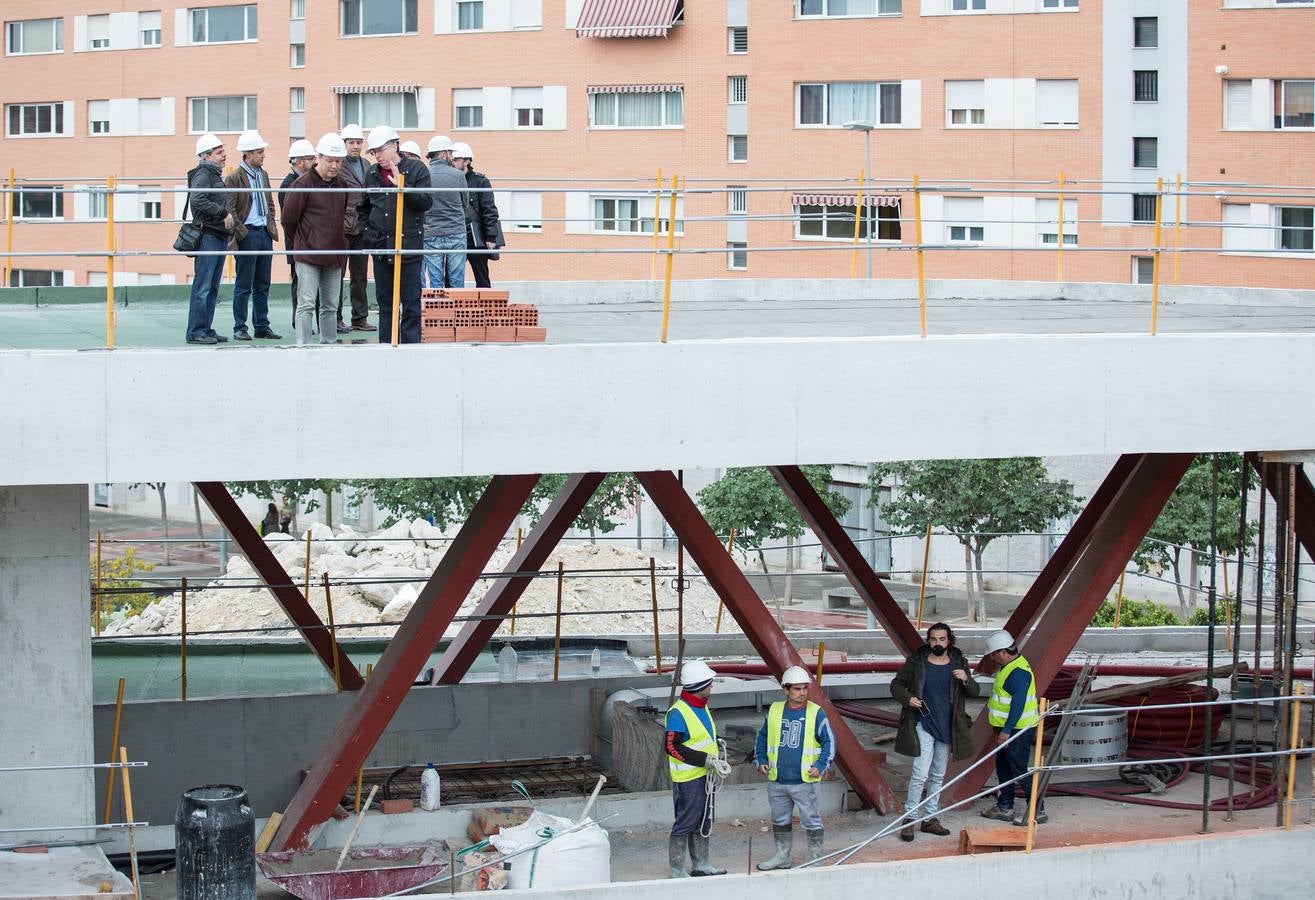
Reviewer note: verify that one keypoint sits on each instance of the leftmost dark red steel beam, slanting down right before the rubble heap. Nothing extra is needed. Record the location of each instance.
(281, 585)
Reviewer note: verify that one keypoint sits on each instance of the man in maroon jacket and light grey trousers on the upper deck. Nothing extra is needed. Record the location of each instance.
(316, 216)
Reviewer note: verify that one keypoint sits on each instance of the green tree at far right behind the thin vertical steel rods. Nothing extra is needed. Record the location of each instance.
(1184, 524)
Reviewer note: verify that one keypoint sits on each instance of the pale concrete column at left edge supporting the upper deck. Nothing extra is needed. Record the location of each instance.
(45, 624)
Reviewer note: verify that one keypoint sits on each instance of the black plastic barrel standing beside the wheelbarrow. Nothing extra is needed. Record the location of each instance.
(215, 841)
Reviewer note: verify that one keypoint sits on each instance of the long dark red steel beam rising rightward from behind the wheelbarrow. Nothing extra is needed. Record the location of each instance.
(374, 706)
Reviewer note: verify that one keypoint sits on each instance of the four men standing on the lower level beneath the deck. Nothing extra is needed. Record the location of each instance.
(796, 748)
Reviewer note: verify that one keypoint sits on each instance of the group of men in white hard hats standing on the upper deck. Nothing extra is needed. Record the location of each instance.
(333, 210)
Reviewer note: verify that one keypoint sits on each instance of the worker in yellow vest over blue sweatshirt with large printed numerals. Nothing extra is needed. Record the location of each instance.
(795, 749)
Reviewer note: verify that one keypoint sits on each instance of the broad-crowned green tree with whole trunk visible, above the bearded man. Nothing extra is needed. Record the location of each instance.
(976, 501)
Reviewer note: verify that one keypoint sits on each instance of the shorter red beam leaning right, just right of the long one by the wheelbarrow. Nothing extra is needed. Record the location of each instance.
(503, 597)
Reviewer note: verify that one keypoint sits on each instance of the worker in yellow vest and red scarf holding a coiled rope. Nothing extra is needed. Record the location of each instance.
(692, 751)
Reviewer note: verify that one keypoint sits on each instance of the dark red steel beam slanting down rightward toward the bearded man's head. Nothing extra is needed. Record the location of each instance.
(844, 551)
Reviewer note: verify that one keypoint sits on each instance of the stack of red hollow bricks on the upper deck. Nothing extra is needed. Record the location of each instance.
(478, 315)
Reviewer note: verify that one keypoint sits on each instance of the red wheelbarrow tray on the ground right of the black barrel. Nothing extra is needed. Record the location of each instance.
(366, 873)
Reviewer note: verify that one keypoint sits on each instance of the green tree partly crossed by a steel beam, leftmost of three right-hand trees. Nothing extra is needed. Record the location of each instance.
(752, 502)
